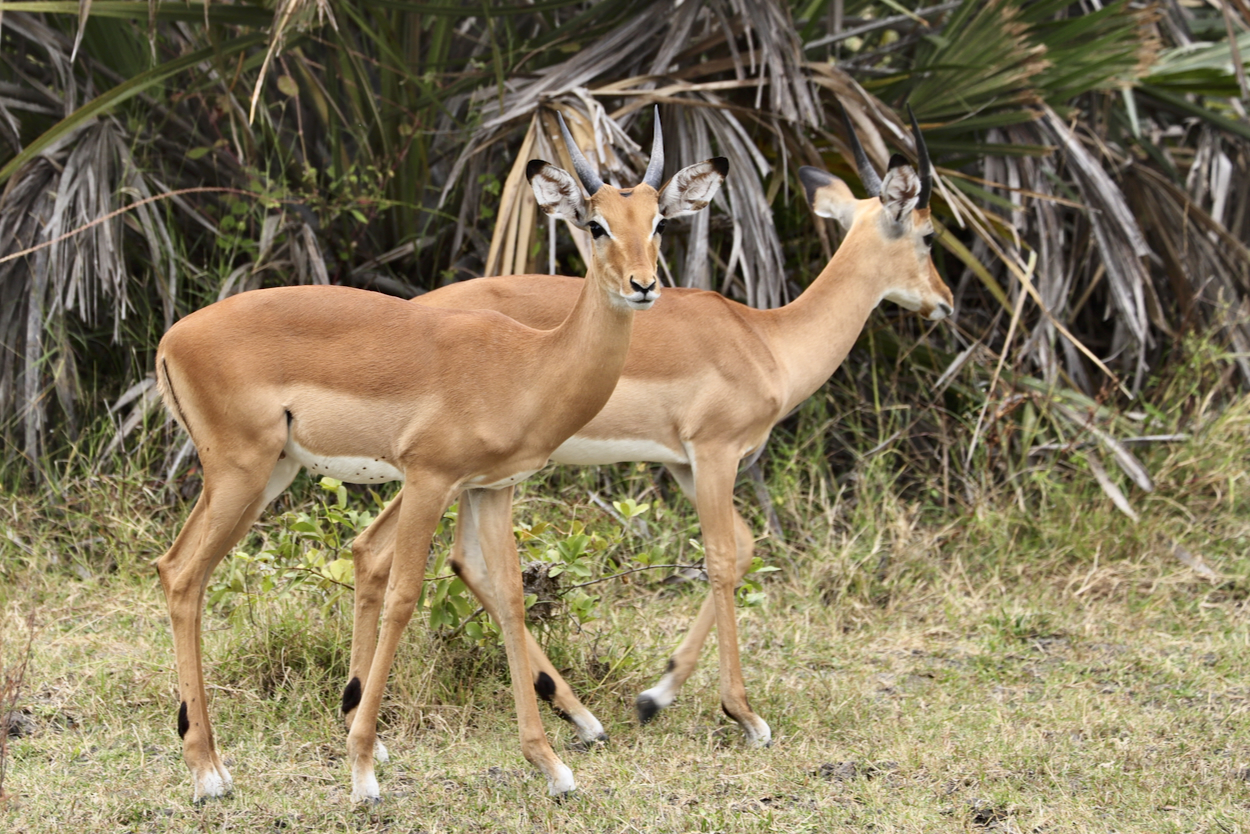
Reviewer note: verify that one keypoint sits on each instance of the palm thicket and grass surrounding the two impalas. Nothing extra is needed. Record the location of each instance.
(1012, 547)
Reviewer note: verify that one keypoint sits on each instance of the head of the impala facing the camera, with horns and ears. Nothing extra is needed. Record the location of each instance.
(626, 224)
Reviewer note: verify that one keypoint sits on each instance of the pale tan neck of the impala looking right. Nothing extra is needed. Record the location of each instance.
(813, 334)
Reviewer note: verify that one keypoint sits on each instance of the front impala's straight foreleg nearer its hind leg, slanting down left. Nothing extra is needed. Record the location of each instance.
(418, 518)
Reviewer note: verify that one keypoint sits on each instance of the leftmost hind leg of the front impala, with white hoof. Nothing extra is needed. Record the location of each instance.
(227, 510)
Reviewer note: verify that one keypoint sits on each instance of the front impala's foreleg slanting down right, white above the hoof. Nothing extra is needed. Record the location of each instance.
(494, 515)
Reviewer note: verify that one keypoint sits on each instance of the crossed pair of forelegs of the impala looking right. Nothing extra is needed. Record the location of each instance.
(713, 497)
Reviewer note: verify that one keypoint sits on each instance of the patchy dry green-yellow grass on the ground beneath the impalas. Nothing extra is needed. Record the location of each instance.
(1007, 663)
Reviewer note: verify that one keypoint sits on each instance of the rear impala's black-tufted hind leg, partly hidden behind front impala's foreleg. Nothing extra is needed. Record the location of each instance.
(471, 566)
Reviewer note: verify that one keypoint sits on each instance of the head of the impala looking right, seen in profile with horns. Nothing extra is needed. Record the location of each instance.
(894, 223)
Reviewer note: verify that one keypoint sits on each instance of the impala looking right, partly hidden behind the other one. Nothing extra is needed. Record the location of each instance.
(704, 383)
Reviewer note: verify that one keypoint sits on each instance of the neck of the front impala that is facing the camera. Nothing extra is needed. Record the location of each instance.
(587, 354)
